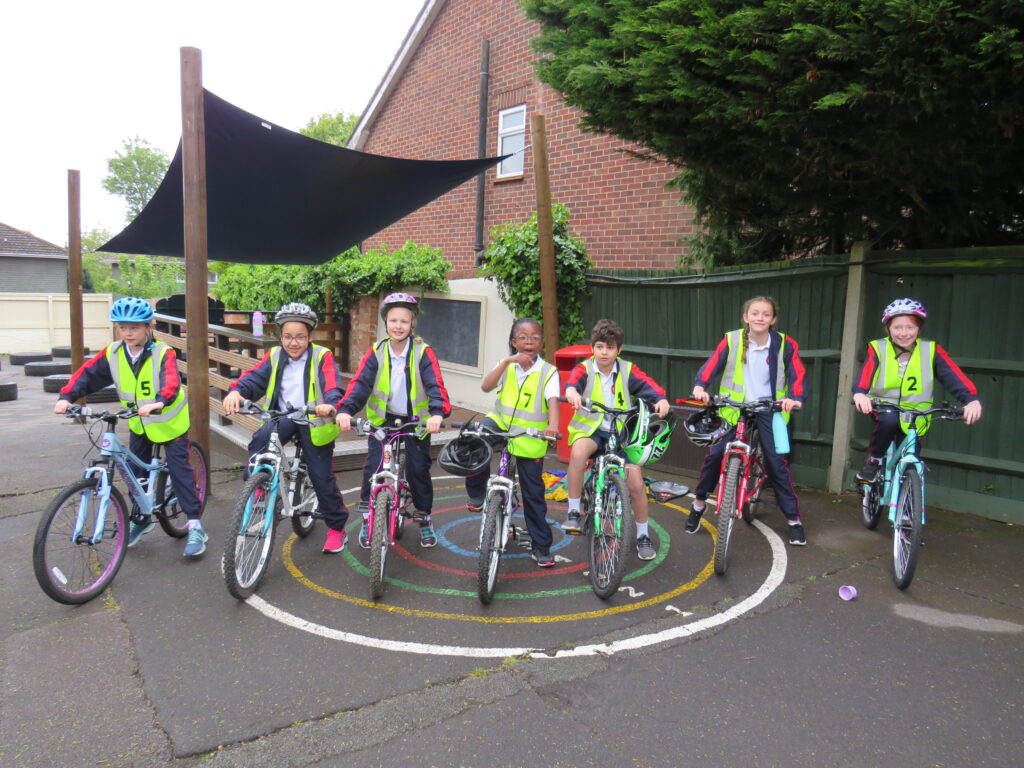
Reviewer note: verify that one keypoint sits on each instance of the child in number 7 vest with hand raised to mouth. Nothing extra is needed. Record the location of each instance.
(528, 397)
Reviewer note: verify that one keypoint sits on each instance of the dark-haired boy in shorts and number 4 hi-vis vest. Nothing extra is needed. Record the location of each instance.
(608, 379)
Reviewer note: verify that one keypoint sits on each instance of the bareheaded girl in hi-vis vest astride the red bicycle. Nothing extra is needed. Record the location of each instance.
(755, 362)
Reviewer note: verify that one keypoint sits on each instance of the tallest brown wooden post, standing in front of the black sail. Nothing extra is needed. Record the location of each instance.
(194, 195)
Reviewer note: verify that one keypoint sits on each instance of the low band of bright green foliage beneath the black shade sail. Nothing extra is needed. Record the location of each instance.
(350, 276)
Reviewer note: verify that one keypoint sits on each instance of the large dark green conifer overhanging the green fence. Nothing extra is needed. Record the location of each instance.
(800, 126)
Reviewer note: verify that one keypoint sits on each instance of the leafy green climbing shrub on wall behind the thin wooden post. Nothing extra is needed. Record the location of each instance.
(514, 262)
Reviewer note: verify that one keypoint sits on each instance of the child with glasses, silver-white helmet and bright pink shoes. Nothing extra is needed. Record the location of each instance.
(296, 374)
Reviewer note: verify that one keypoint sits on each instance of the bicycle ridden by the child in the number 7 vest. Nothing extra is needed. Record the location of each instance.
(501, 502)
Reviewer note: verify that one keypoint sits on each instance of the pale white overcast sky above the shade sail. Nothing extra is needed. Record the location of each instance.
(78, 78)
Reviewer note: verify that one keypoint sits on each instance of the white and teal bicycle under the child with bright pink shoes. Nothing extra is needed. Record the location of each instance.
(273, 479)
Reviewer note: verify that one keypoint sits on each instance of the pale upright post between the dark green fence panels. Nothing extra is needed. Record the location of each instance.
(857, 292)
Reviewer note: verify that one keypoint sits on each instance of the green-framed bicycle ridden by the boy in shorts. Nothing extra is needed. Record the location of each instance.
(609, 520)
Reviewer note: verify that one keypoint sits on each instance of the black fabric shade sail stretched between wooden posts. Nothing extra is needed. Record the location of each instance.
(276, 197)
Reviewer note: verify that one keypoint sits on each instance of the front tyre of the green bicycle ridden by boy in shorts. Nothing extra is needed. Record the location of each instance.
(611, 538)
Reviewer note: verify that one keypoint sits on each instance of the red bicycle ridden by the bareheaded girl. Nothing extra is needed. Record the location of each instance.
(743, 476)
